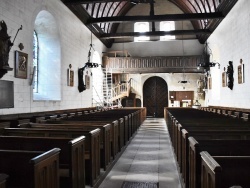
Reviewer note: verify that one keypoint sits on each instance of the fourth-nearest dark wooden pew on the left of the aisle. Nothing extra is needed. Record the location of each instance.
(105, 133)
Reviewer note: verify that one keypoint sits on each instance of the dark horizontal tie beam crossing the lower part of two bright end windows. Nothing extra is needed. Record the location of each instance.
(156, 33)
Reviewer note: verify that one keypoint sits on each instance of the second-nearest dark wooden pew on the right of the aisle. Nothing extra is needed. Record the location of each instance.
(215, 148)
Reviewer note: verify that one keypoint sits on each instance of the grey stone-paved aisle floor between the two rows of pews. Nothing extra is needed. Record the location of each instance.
(147, 162)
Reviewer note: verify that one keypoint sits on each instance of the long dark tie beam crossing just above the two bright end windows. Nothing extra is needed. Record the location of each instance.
(155, 18)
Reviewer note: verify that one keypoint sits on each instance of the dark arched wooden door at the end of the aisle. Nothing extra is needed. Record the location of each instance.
(155, 96)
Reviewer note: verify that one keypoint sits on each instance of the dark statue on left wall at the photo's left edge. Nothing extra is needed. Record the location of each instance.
(5, 46)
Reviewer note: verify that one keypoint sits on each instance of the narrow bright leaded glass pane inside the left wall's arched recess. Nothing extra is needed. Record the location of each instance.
(35, 61)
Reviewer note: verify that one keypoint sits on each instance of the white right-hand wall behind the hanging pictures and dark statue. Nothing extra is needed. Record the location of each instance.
(230, 42)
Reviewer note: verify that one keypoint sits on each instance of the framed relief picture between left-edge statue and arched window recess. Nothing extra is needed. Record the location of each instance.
(21, 64)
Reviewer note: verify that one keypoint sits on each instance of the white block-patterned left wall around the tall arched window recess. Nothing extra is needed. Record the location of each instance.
(74, 38)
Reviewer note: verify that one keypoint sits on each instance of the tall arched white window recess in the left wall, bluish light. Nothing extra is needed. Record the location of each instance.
(47, 53)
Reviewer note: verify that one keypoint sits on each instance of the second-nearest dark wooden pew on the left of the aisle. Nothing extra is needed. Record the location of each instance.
(71, 163)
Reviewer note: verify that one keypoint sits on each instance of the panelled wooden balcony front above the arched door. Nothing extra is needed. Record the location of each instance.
(173, 64)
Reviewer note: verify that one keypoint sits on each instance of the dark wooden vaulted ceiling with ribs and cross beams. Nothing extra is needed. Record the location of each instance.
(103, 17)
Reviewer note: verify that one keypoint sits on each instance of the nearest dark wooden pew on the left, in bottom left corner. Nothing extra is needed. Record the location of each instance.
(31, 169)
